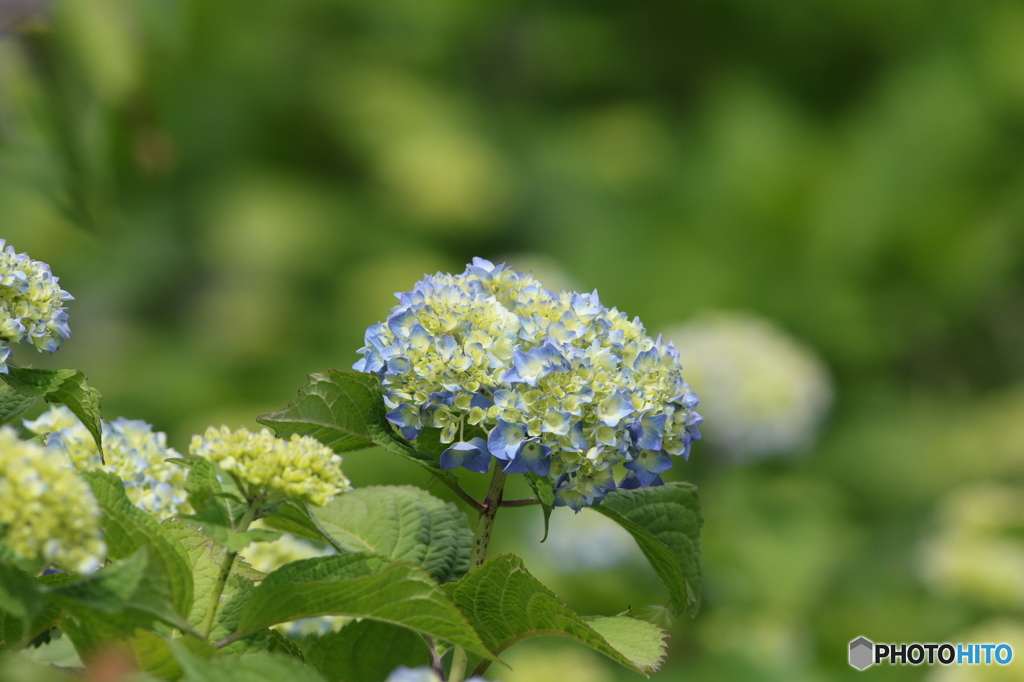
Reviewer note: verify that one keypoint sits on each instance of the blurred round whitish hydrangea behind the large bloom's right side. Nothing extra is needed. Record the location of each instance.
(764, 393)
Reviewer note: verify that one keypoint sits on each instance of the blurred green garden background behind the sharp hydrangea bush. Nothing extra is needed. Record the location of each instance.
(233, 191)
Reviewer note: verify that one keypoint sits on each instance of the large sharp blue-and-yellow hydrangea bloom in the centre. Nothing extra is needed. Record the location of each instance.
(557, 385)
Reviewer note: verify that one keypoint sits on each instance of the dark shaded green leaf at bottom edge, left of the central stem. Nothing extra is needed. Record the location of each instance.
(365, 652)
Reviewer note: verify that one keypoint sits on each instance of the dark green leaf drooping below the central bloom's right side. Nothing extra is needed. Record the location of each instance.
(666, 523)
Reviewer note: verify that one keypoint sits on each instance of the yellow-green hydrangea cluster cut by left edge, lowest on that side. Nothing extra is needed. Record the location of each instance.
(47, 510)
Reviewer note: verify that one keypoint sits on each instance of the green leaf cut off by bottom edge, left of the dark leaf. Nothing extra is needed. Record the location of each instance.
(255, 667)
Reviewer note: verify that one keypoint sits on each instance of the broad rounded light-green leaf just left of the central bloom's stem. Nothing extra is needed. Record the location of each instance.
(401, 523)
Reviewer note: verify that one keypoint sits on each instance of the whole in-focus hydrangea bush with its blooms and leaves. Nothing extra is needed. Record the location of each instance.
(254, 559)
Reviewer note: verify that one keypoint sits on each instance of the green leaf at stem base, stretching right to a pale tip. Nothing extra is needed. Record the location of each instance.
(506, 605)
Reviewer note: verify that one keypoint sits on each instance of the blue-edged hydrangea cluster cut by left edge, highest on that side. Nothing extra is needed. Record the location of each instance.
(31, 305)
